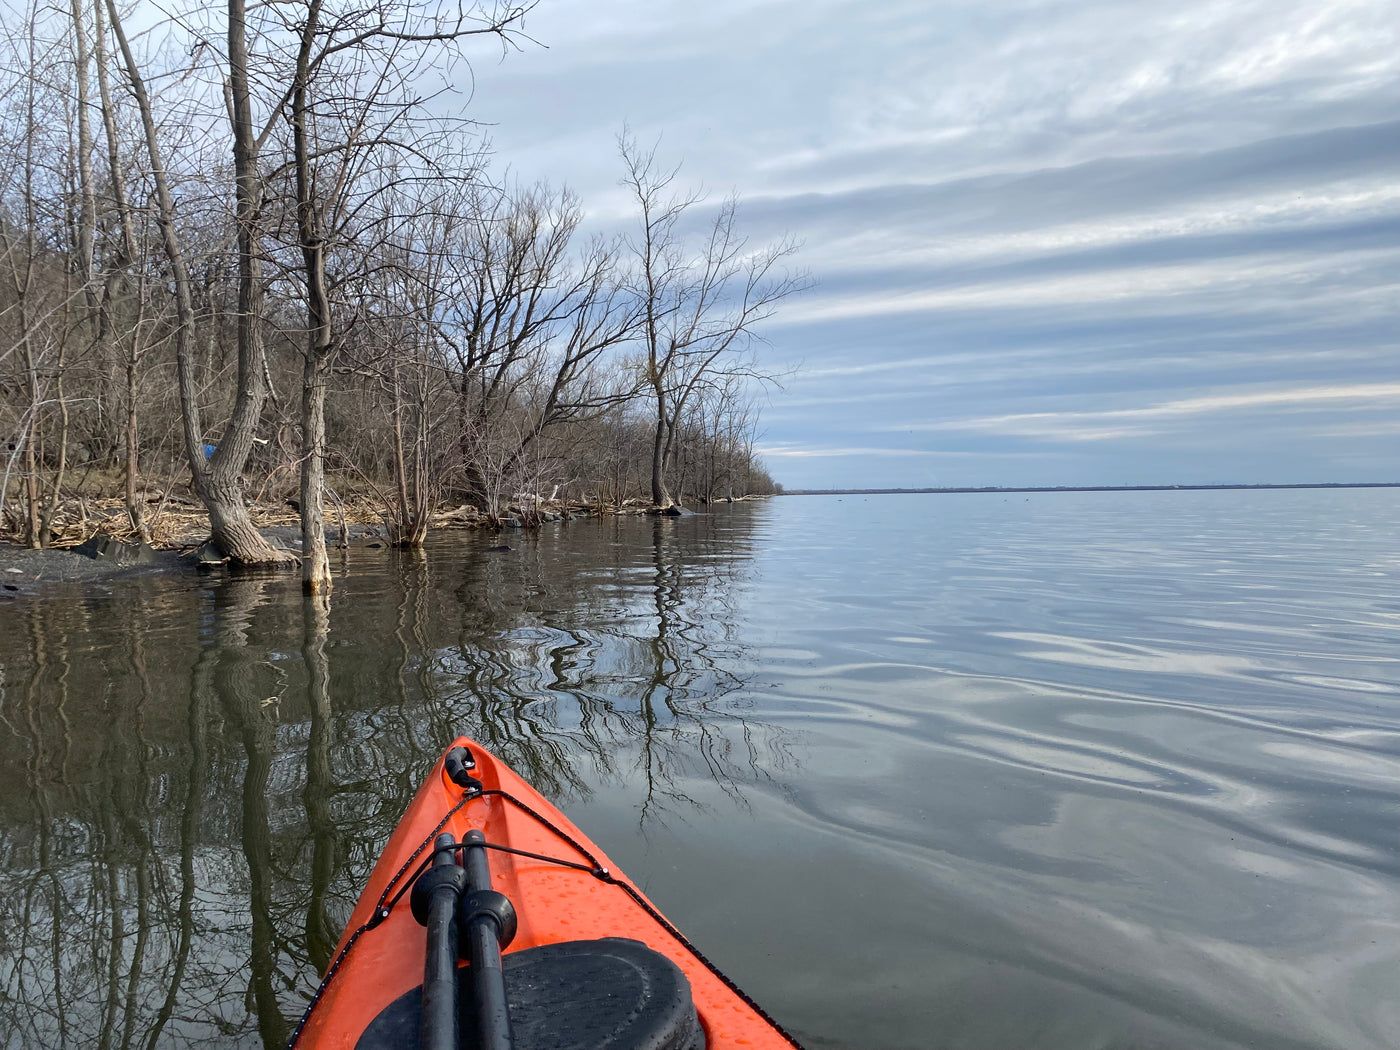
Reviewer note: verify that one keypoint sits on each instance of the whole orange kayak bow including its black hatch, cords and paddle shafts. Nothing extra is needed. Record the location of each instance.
(492, 923)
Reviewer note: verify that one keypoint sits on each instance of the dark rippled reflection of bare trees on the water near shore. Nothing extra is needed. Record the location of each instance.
(204, 773)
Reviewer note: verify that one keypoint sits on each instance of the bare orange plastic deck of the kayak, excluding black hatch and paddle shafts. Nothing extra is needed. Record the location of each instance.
(568, 892)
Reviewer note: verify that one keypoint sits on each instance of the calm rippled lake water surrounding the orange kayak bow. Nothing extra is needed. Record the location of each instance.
(983, 772)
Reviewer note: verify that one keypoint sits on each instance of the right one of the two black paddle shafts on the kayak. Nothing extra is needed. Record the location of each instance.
(486, 922)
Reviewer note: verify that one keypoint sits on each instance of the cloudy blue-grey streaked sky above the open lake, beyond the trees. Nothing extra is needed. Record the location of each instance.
(1056, 241)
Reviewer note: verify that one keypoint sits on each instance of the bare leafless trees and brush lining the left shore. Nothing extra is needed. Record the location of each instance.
(244, 247)
